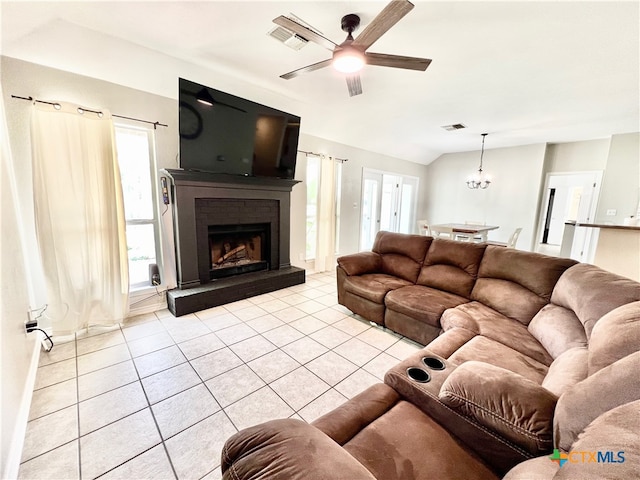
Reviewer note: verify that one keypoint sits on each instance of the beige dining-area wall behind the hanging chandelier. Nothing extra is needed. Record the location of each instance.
(511, 201)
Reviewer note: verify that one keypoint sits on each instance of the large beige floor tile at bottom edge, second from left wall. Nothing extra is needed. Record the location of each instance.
(110, 446)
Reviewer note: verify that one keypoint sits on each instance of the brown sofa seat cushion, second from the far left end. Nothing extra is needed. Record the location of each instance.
(422, 303)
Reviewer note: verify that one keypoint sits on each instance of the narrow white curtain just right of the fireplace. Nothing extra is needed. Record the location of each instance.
(326, 246)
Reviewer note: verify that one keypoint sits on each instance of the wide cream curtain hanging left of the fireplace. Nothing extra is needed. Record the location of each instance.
(79, 214)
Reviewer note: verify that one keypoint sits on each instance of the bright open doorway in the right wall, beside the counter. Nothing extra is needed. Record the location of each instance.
(568, 198)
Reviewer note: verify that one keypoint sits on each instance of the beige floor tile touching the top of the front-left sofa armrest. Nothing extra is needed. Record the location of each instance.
(260, 406)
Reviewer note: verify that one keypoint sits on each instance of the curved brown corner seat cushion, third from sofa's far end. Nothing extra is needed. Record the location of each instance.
(485, 321)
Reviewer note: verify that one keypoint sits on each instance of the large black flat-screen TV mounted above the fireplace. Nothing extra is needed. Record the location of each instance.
(222, 133)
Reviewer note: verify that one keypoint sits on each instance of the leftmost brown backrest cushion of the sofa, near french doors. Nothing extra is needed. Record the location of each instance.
(401, 255)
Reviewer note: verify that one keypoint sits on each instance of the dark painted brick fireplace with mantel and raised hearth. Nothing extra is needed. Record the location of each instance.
(231, 237)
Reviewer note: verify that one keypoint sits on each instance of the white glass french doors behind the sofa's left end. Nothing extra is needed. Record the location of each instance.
(388, 203)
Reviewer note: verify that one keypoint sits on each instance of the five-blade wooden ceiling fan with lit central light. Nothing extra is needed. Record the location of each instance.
(351, 55)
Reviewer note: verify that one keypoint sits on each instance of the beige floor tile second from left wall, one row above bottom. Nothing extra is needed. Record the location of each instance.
(110, 407)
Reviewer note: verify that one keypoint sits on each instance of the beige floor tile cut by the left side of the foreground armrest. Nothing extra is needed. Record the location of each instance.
(196, 451)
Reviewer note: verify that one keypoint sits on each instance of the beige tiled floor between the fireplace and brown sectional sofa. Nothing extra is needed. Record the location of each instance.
(158, 396)
